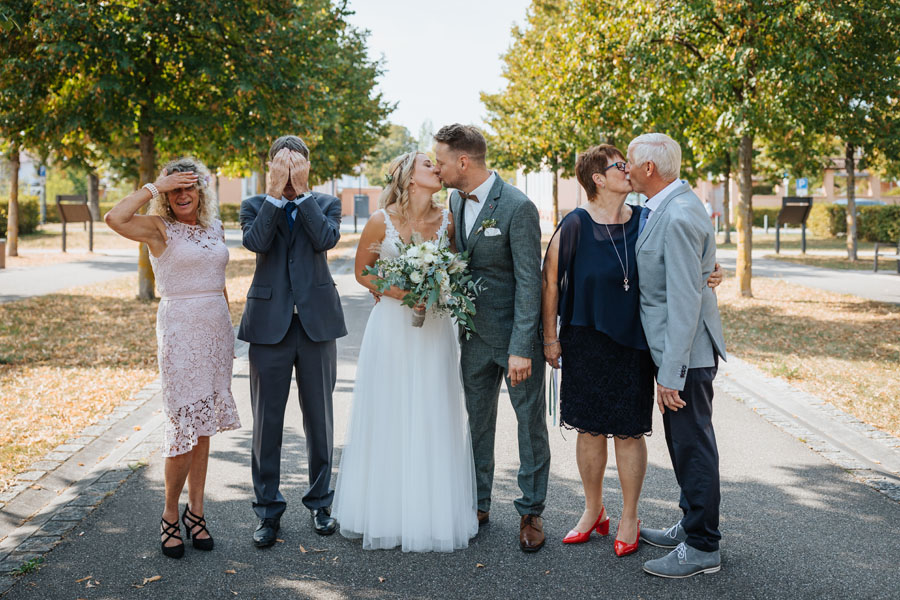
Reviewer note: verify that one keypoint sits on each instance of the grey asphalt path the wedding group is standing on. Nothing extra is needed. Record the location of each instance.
(795, 524)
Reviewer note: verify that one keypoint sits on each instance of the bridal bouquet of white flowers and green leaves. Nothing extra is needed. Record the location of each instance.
(435, 278)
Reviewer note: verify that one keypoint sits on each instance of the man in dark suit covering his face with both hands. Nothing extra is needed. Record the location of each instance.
(292, 318)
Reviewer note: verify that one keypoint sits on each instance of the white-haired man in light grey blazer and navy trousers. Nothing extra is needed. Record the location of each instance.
(676, 252)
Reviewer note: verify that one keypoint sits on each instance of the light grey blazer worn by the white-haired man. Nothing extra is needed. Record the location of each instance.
(676, 253)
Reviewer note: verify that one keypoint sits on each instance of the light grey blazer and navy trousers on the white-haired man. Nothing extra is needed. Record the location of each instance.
(676, 252)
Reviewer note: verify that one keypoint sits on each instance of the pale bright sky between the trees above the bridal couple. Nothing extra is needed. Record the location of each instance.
(438, 55)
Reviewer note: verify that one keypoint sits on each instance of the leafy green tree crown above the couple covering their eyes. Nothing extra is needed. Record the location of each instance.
(219, 79)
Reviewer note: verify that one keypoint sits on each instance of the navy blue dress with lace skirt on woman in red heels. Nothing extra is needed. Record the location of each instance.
(607, 372)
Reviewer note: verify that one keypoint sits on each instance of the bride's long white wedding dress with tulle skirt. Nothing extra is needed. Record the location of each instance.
(407, 477)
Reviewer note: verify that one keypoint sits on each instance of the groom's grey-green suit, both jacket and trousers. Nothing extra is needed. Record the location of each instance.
(506, 320)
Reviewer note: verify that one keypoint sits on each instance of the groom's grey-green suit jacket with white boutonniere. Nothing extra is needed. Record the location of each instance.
(509, 265)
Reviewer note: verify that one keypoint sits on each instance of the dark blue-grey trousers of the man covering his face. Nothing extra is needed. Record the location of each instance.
(314, 364)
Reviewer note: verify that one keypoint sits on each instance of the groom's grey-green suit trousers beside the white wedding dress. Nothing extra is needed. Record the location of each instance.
(483, 370)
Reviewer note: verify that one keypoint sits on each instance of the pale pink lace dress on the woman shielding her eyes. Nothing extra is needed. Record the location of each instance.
(195, 338)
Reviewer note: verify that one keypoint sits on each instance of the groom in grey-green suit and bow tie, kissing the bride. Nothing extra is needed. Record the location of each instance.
(499, 227)
